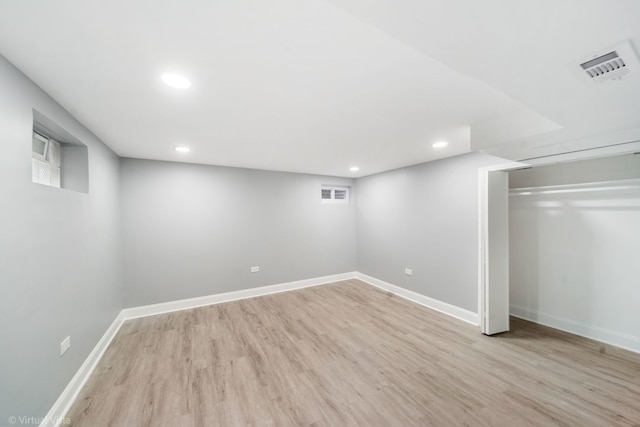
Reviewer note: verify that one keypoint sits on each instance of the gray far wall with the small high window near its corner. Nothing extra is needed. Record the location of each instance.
(194, 230)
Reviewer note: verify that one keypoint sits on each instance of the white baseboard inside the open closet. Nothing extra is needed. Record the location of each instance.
(606, 336)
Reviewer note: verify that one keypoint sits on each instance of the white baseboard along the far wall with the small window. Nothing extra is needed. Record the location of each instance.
(171, 306)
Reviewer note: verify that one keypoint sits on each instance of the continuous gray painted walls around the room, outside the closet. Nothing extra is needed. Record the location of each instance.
(150, 232)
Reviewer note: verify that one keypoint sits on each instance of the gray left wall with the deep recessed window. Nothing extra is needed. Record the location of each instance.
(60, 269)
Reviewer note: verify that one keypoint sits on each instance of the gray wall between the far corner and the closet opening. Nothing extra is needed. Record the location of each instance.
(424, 218)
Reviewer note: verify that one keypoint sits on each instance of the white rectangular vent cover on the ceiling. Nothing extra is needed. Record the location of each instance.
(611, 64)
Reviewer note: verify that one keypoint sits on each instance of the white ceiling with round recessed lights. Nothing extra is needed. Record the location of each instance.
(317, 86)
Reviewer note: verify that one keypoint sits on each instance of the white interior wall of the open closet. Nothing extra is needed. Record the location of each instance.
(575, 245)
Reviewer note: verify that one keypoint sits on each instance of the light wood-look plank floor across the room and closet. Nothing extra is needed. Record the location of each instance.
(350, 354)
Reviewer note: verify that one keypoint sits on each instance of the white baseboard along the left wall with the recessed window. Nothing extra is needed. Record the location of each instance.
(58, 411)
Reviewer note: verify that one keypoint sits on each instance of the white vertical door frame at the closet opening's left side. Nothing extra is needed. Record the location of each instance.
(483, 239)
